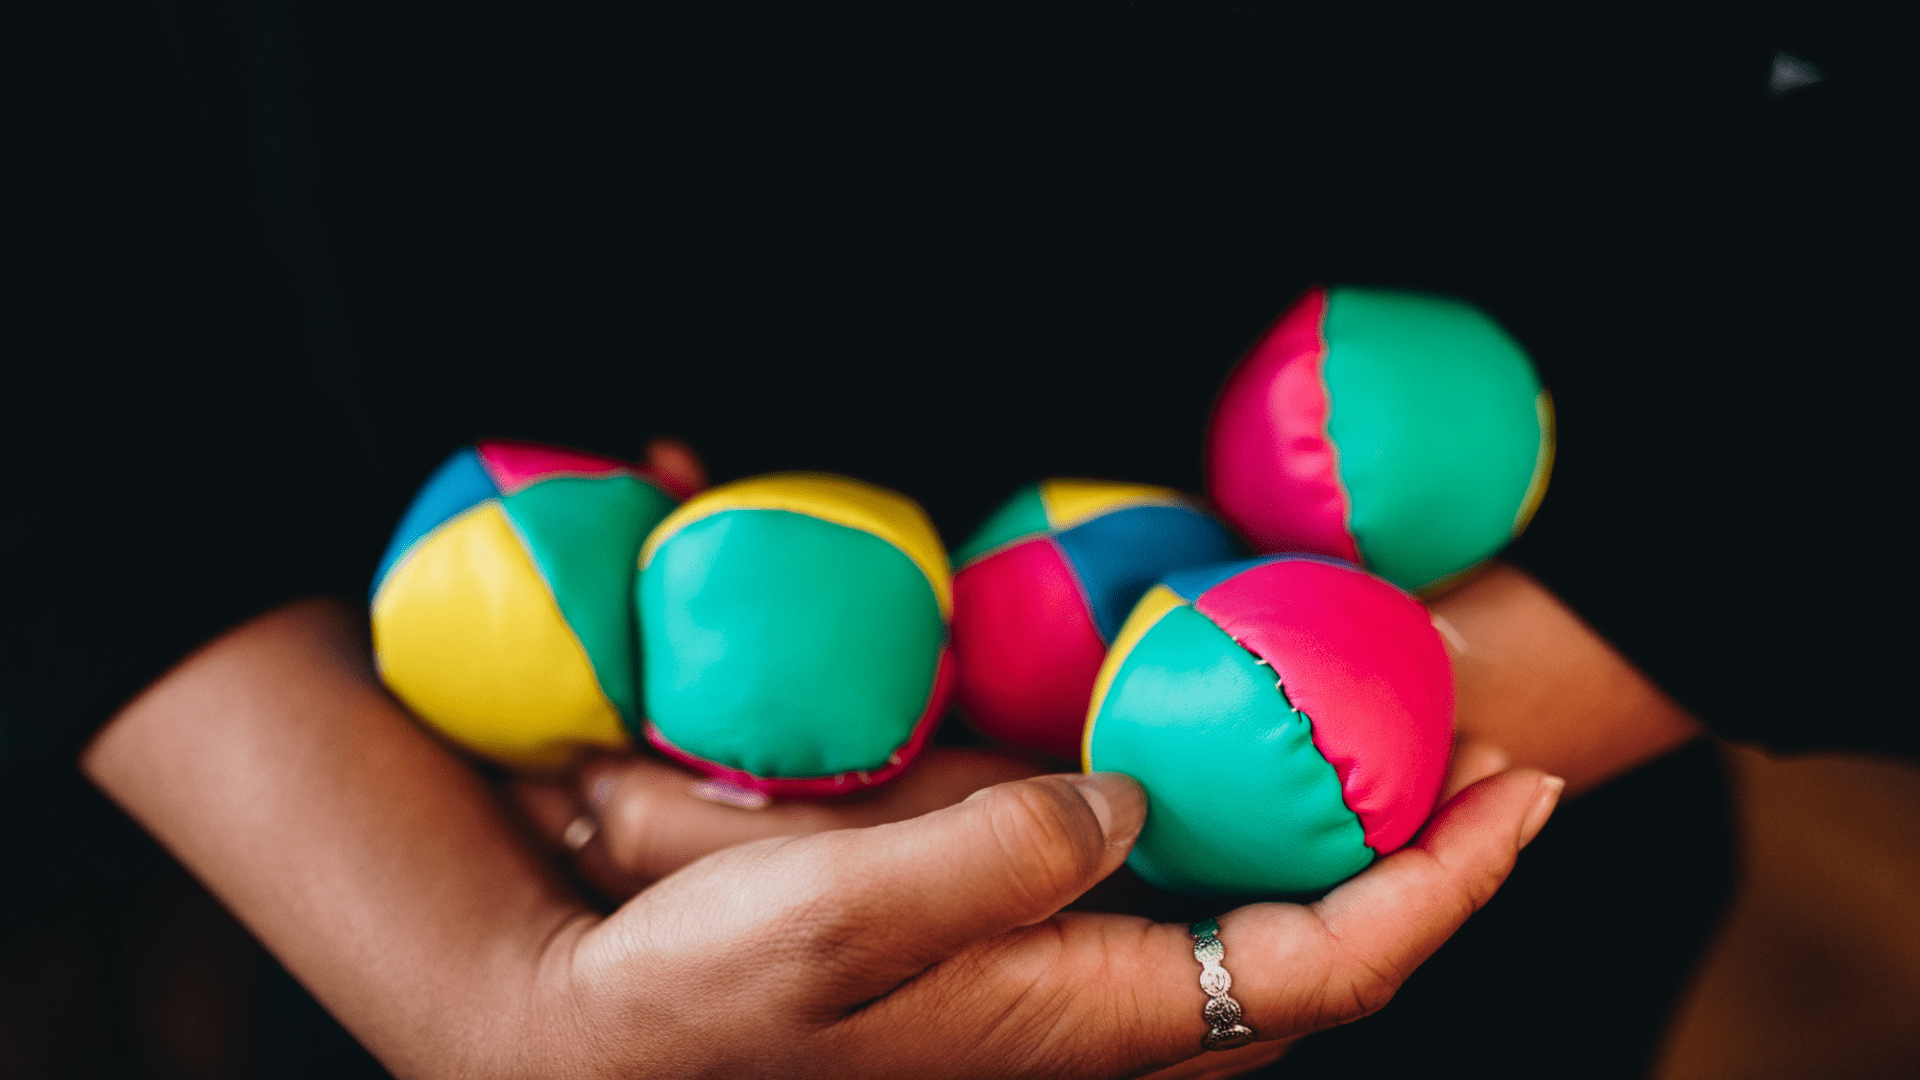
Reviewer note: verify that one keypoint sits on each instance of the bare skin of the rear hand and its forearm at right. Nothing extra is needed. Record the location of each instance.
(1535, 687)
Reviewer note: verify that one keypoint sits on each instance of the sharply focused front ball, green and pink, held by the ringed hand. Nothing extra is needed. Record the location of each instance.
(1289, 718)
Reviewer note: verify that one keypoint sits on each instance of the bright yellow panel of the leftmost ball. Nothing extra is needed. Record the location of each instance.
(469, 639)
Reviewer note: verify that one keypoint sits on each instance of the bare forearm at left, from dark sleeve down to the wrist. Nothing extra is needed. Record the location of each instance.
(366, 856)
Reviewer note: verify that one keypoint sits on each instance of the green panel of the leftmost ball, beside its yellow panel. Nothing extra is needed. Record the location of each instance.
(585, 537)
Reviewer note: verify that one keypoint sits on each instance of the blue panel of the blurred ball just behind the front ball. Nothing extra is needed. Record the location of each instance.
(1118, 556)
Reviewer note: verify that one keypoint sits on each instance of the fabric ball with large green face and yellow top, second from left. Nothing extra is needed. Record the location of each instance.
(796, 633)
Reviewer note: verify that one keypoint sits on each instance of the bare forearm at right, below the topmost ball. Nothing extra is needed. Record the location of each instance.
(1545, 687)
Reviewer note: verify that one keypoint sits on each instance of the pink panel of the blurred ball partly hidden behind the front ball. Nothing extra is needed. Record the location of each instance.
(1026, 649)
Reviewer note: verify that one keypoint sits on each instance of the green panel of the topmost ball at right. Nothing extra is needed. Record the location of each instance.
(1433, 414)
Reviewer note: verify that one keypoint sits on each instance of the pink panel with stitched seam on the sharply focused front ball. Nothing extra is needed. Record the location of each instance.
(1364, 662)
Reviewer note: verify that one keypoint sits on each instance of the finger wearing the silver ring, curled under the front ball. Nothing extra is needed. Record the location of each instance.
(1126, 993)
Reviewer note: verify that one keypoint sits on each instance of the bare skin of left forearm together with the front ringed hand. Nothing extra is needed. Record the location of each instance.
(416, 906)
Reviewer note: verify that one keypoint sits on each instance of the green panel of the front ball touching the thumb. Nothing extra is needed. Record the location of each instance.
(1239, 800)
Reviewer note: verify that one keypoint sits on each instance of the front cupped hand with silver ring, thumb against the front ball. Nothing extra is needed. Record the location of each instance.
(938, 948)
